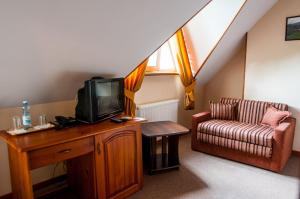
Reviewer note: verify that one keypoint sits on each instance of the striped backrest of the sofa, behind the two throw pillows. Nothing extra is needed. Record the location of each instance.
(251, 111)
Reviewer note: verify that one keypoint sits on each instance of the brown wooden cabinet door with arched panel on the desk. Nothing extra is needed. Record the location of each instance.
(119, 162)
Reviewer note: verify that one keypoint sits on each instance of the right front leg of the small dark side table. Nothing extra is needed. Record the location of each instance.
(173, 142)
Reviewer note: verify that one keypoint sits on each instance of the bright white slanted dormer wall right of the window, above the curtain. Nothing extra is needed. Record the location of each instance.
(206, 28)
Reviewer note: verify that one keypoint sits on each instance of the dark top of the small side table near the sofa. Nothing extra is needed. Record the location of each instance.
(162, 128)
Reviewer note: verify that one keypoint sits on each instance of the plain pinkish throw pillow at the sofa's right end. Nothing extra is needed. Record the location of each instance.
(273, 116)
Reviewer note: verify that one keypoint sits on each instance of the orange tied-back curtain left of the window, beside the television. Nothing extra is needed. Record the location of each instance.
(133, 83)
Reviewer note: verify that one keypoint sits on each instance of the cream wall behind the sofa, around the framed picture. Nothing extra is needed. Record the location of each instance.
(273, 64)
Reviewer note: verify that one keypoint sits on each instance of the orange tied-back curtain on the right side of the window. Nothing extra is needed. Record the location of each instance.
(185, 71)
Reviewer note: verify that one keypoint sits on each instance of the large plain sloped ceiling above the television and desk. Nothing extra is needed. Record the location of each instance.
(48, 48)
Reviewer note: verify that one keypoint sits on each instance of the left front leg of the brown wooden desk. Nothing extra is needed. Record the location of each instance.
(20, 174)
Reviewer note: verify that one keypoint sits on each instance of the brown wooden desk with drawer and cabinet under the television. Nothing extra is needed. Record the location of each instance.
(104, 160)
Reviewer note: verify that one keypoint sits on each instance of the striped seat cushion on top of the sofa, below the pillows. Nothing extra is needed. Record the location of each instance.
(250, 133)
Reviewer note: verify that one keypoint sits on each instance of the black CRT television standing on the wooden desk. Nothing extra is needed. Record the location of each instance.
(100, 99)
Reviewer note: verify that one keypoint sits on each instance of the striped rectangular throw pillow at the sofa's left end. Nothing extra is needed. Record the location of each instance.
(223, 111)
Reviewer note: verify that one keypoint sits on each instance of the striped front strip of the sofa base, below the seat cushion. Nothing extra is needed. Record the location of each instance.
(253, 149)
